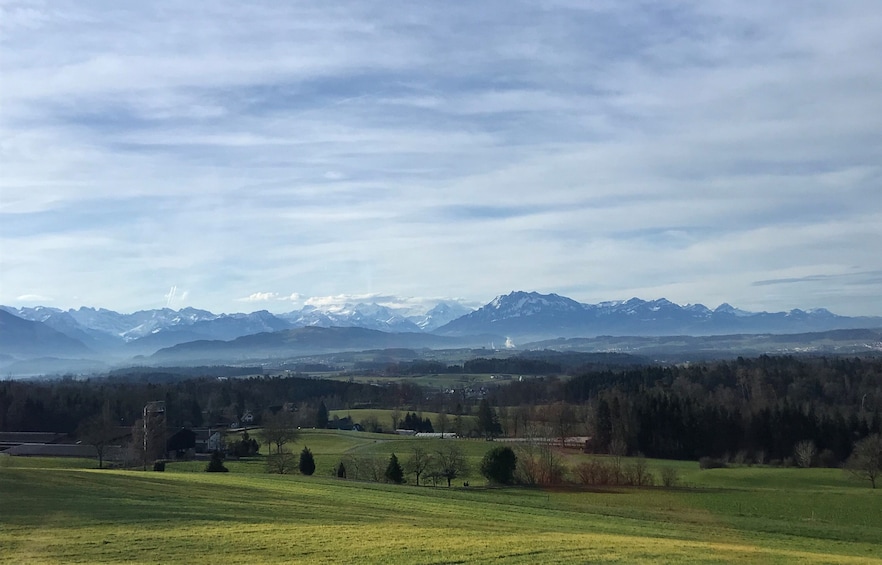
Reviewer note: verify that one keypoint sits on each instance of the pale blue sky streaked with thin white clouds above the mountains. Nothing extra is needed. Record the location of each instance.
(240, 156)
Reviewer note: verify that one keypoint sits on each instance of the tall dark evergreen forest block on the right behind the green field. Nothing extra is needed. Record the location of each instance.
(753, 409)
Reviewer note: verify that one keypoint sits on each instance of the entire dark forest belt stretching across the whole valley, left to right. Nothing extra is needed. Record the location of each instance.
(747, 409)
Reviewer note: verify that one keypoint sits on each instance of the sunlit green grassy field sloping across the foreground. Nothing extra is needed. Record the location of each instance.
(69, 512)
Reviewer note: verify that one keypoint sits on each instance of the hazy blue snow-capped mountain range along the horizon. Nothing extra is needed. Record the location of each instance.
(506, 321)
